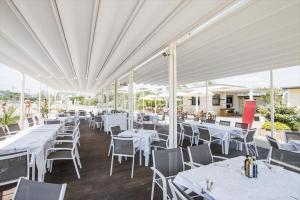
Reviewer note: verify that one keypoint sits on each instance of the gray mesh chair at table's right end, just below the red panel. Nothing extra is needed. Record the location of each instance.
(247, 139)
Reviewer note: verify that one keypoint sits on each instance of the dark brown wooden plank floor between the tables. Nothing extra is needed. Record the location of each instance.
(95, 182)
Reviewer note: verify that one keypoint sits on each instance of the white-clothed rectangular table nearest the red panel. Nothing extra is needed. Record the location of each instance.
(219, 131)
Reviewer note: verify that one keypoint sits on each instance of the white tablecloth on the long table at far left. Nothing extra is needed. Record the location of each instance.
(36, 140)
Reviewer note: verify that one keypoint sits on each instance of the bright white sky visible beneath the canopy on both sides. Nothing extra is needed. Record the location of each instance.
(11, 79)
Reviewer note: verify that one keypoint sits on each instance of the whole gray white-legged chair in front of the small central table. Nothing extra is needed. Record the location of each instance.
(123, 146)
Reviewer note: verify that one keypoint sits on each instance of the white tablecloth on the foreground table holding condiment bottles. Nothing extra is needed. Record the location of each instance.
(230, 184)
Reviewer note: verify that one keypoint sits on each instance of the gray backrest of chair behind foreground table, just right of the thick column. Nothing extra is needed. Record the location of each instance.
(200, 154)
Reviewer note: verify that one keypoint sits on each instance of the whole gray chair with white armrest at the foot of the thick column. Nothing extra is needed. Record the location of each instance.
(167, 163)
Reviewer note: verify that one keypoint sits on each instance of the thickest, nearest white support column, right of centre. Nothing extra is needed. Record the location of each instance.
(172, 96)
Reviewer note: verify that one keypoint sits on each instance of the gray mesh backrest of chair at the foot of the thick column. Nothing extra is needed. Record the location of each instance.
(169, 162)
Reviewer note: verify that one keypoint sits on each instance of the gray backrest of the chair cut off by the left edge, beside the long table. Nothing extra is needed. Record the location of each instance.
(13, 166)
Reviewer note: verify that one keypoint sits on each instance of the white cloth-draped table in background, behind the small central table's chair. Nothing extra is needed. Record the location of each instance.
(116, 119)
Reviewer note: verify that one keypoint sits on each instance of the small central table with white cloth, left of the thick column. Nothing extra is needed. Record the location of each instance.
(142, 140)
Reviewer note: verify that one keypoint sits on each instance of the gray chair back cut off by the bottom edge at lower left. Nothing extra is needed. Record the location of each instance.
(32, 190)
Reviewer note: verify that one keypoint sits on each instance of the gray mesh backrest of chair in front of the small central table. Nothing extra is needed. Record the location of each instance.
(123, 145)
